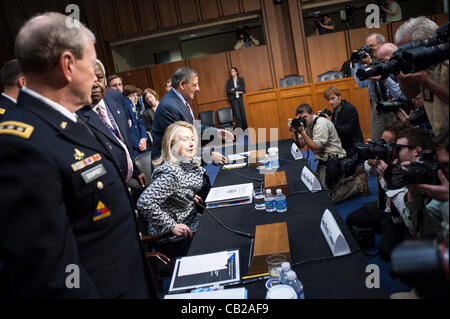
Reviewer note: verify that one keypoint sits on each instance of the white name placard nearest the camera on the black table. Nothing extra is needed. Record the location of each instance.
(333, 235)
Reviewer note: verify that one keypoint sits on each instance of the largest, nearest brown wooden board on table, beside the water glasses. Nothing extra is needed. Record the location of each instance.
(269, 239)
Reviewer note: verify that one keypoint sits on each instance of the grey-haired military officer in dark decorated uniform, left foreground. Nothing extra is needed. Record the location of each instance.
(67, 225)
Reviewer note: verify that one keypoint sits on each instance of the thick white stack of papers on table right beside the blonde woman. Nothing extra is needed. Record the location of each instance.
(230, 195)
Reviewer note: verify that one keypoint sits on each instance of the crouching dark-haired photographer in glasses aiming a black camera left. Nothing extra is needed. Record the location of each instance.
(389, 215)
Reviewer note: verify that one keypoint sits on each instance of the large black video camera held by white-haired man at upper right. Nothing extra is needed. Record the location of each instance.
(411, 57)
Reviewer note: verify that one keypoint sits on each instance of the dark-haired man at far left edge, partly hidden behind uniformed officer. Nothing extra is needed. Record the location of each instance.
(12, 79)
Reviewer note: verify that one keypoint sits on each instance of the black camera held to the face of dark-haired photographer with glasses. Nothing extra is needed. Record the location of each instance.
(376, 149)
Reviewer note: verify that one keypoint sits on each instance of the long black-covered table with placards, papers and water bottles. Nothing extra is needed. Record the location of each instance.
(322, 275)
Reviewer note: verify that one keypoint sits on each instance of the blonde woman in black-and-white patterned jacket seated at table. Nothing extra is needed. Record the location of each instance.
(178, 177)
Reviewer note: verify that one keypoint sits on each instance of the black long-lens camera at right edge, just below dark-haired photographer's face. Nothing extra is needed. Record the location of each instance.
(424, 171)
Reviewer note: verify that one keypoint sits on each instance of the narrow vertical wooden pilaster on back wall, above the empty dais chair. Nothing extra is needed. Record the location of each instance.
(299, 40)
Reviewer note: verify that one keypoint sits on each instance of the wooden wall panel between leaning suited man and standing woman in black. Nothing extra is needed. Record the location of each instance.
(213, 74)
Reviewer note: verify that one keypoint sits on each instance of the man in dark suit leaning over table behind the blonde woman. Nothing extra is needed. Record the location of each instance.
(174, 106)
